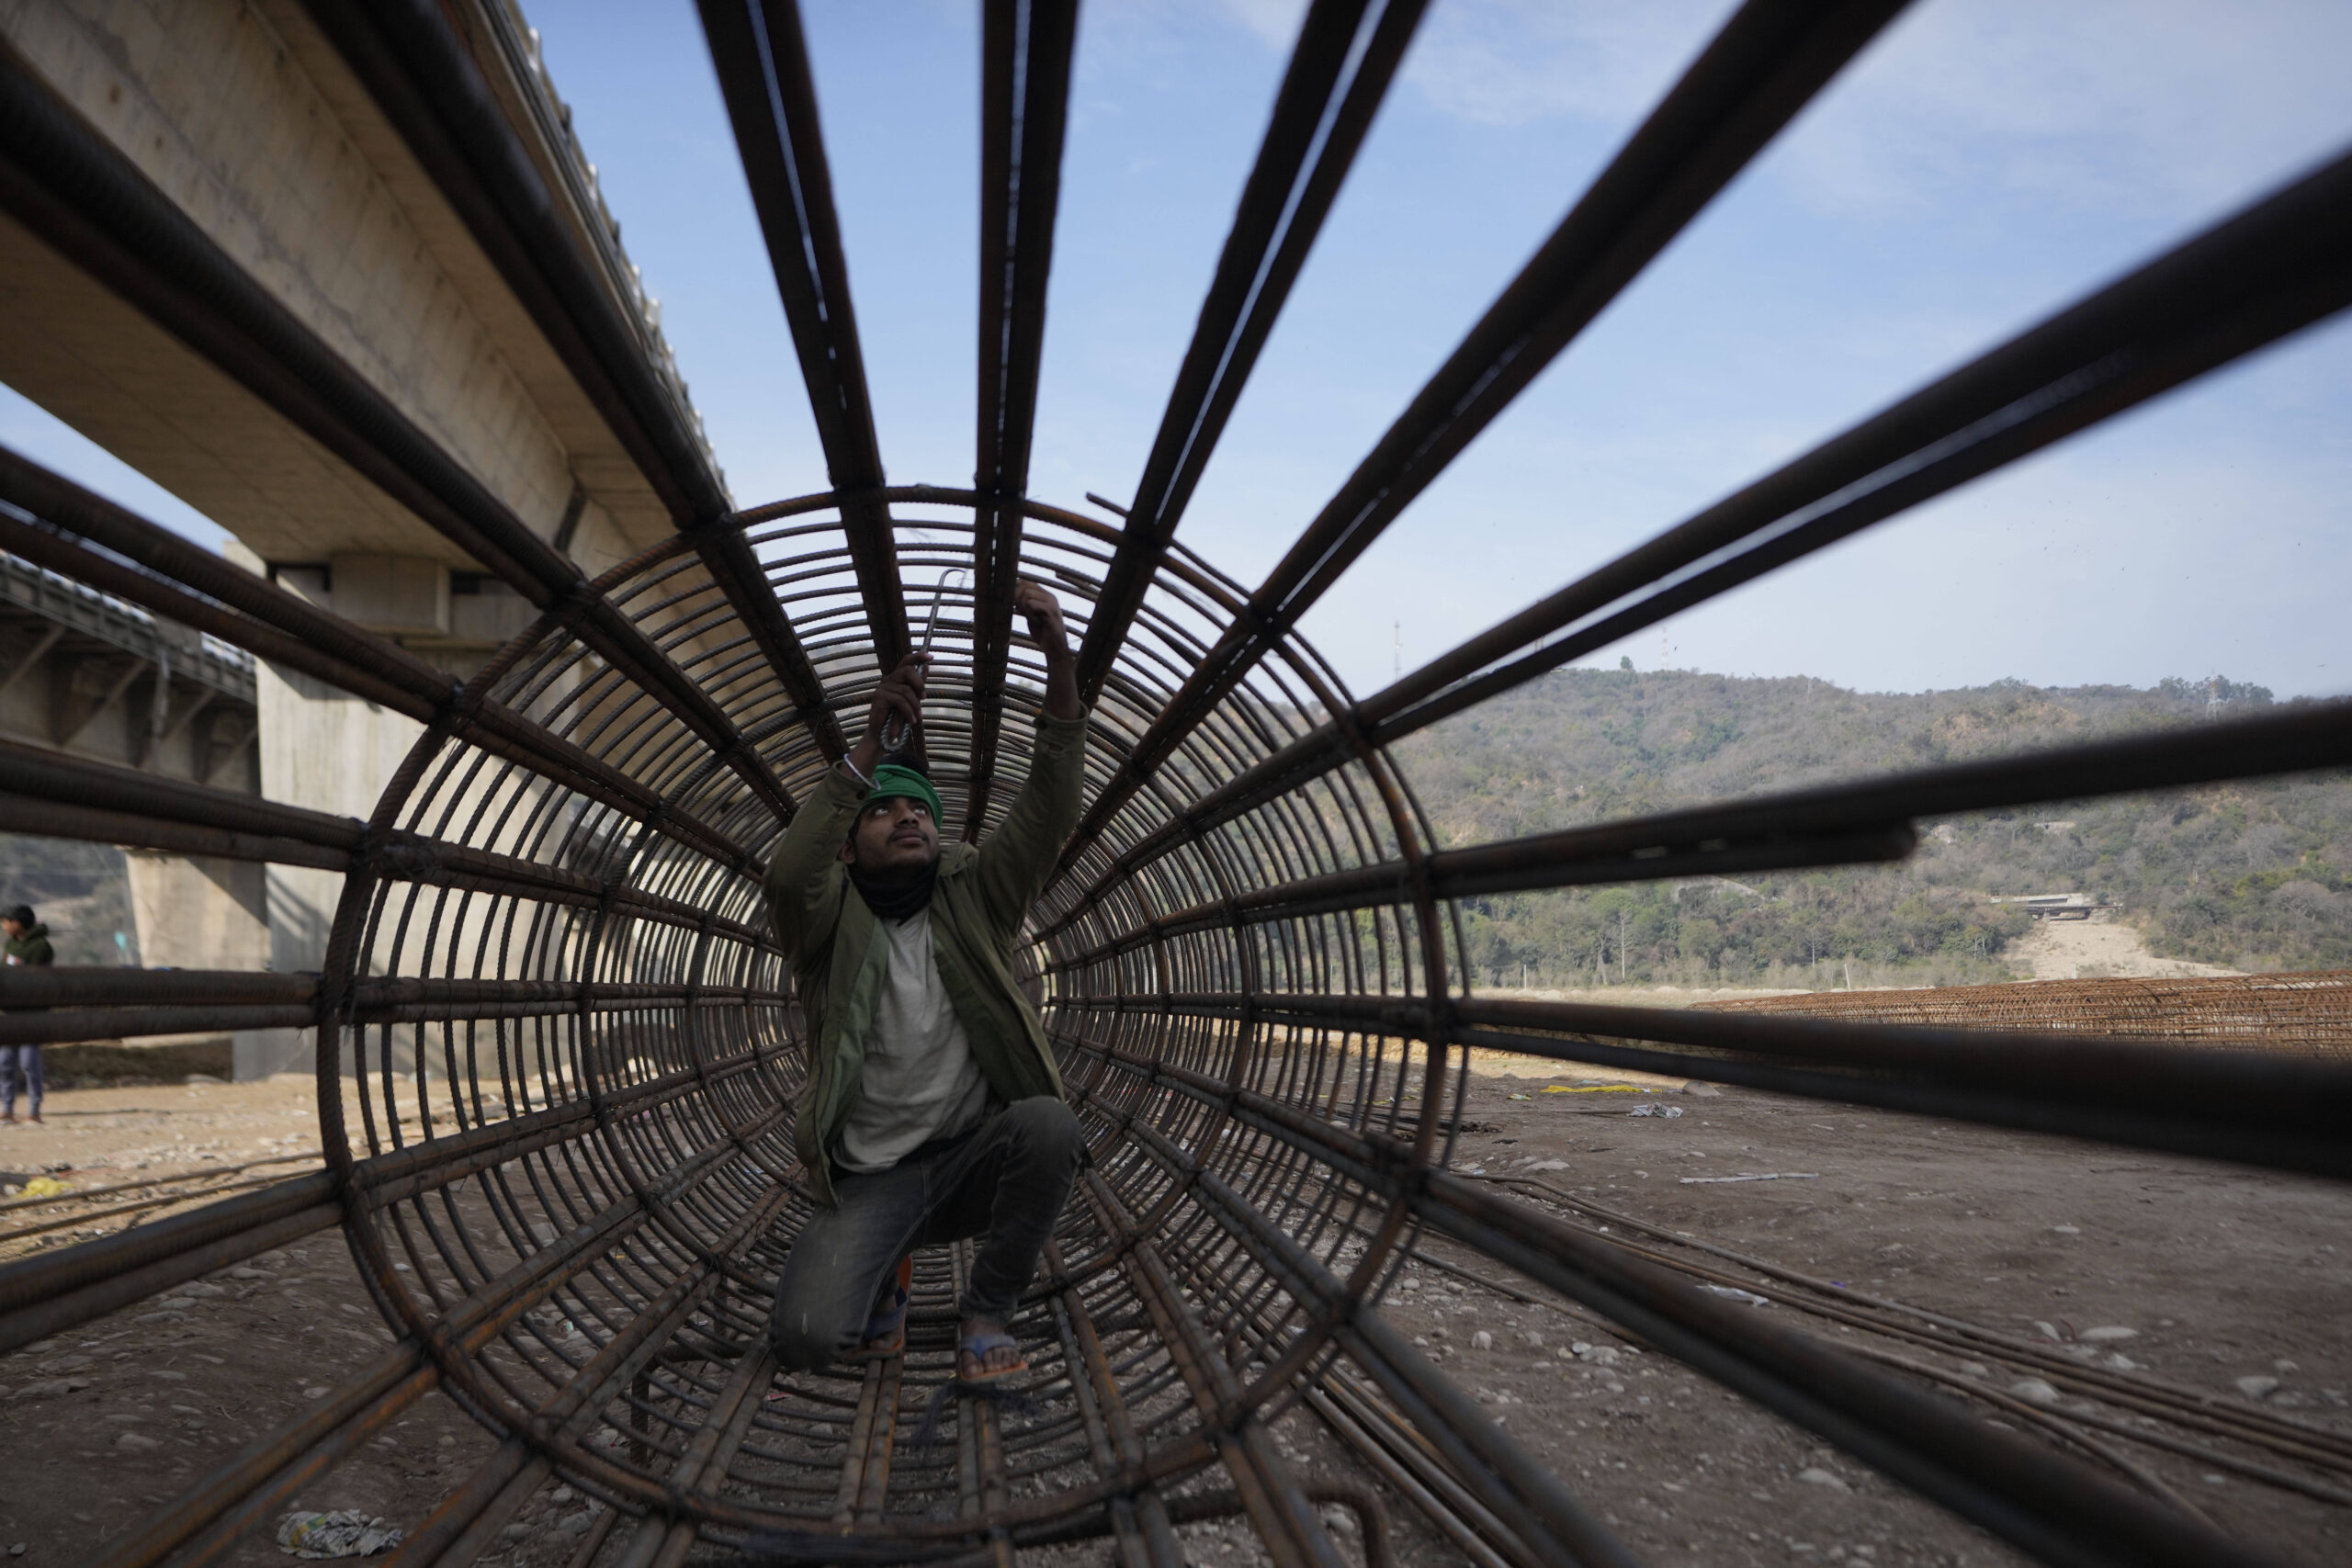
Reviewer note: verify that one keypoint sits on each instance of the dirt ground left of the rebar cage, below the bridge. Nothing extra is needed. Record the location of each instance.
(119, 1416)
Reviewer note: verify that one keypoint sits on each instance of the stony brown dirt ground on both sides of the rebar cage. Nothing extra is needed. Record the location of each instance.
(2217, 1273)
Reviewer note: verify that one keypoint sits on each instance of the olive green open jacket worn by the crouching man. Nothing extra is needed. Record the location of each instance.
(977, 913)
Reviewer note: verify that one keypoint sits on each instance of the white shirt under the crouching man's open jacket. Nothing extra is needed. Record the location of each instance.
(921, 1080)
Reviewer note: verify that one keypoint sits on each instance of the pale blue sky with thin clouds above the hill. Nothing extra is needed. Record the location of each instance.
(1982, 166)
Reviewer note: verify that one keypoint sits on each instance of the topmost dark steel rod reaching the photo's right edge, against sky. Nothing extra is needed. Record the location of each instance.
(2243, 286)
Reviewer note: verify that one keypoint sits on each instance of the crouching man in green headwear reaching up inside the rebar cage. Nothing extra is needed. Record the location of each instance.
(935, 1106)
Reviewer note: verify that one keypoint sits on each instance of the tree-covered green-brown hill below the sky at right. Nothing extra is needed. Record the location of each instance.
(2252, 876)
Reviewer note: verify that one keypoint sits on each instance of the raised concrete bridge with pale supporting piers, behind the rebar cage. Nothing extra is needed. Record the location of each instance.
(392, 201)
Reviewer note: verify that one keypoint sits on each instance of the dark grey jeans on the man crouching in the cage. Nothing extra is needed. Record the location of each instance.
(1005, 1179)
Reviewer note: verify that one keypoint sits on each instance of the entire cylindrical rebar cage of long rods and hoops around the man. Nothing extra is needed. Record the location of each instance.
(573, 1177)
